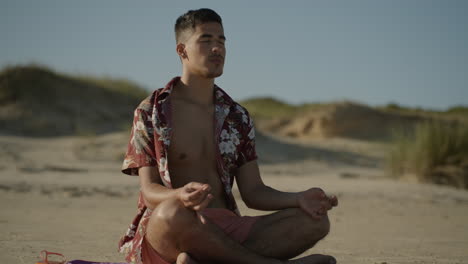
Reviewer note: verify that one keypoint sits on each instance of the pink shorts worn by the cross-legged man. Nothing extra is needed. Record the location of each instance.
(236, 227)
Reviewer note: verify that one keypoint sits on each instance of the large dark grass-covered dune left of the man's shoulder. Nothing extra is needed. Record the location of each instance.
(38, 101)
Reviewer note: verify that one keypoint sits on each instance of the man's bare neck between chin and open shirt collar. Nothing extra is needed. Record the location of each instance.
(198, 89)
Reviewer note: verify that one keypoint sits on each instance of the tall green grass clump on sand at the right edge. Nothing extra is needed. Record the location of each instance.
(435, 152)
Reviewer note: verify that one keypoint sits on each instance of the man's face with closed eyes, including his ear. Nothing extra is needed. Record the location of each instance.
(205, 51)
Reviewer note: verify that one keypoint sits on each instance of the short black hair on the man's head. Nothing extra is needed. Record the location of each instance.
(193, 18)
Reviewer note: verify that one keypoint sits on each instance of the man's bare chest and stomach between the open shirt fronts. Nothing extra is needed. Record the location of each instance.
(192, 152)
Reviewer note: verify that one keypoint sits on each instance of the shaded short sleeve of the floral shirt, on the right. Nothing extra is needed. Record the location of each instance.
(247, 151)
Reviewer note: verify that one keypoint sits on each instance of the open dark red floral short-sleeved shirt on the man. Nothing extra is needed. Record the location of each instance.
(149, 146)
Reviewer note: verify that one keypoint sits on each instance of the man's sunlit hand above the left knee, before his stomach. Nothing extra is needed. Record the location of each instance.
(195, 196)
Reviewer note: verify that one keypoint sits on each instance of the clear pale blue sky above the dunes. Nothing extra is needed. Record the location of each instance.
(414, 53)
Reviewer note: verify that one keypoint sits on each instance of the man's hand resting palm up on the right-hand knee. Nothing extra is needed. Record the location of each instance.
(316, 203)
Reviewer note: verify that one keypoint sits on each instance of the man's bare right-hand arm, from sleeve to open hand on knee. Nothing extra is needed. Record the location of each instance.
(257, 195)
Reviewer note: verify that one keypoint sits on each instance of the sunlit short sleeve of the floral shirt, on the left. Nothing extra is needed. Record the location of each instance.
(141, 150)
